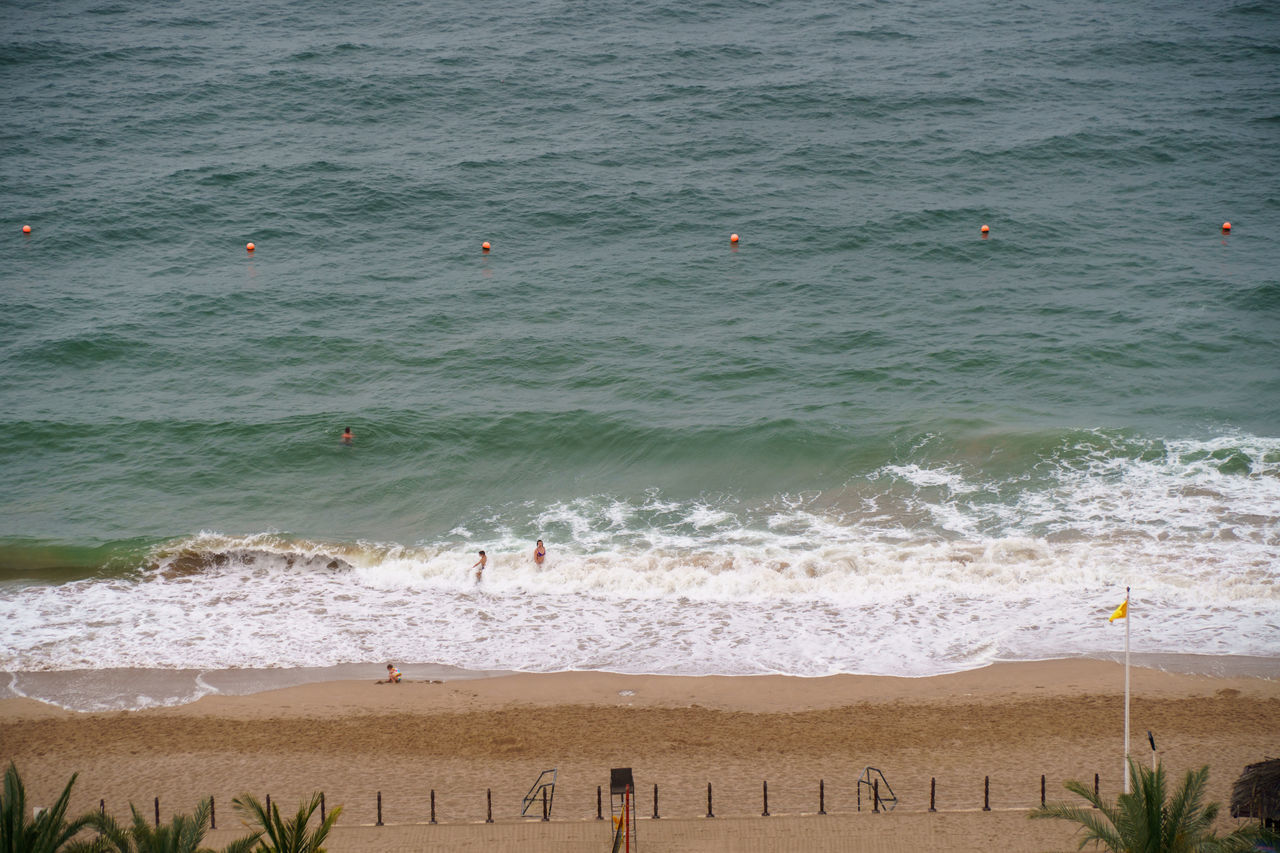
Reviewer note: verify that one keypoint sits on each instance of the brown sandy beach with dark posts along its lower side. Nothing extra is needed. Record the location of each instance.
(1012, 723)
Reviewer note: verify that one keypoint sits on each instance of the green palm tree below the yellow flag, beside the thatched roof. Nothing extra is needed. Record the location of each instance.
(1150, 822)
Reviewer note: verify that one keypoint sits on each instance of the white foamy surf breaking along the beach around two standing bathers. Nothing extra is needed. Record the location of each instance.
(915, 572)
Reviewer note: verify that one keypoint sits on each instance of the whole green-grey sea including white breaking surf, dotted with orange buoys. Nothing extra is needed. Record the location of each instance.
(863, 439)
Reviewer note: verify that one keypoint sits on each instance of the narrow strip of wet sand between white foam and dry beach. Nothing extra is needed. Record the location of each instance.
(135, 690)
